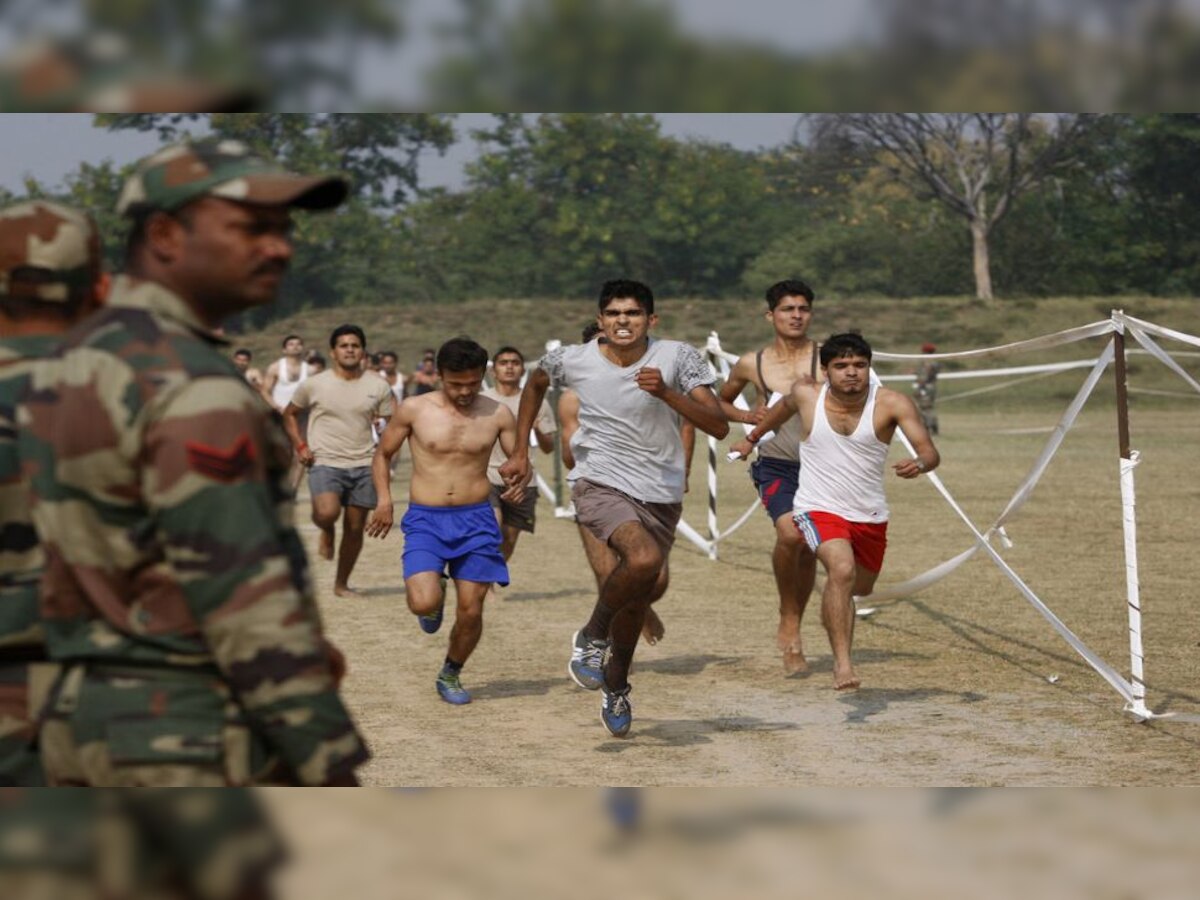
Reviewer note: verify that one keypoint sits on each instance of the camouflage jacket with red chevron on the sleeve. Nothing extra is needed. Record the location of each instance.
(160, 491)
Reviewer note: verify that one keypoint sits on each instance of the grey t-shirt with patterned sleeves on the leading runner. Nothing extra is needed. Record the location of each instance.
(627, 439)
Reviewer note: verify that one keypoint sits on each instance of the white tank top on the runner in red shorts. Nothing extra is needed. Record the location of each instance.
(844, 473)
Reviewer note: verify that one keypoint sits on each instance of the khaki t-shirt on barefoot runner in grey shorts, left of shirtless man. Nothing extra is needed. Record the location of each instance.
(340, 416)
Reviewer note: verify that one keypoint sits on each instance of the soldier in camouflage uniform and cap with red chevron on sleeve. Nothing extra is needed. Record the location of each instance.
(177, 595)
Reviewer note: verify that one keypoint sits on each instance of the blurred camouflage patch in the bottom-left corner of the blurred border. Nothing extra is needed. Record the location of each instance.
(136, 845)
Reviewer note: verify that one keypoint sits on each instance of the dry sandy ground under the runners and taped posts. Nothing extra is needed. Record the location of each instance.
(964, 685)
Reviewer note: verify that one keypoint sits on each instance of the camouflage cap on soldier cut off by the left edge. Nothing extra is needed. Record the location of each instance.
(46, 250)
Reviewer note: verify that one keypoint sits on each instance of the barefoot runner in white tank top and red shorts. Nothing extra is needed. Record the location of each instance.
(842, 511)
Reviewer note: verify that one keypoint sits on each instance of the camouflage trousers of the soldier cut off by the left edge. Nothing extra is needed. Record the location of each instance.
(23, 692)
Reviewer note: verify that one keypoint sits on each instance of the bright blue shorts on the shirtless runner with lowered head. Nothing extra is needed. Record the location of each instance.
(465, 538)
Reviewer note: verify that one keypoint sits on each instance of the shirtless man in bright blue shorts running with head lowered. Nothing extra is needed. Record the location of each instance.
(449, 520)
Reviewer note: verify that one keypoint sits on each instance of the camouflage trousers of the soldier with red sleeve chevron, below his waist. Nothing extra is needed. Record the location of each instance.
(134, 727)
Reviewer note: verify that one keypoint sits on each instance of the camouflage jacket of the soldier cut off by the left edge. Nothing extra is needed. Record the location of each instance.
(21, 557)
